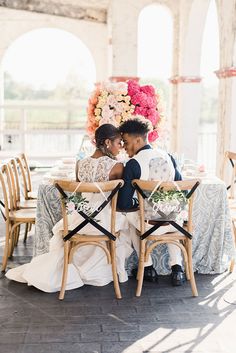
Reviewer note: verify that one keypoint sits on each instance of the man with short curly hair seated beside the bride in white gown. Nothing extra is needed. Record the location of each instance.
(134, 134)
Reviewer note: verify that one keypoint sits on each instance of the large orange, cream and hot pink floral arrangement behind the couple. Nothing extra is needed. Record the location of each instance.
(115, 103)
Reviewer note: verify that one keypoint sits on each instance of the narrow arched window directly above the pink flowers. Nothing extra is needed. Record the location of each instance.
(155, 29)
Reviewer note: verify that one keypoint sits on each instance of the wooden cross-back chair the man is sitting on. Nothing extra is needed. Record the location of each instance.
(181, 237)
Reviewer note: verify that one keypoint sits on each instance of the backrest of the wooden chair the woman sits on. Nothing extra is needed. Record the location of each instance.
(101, 187)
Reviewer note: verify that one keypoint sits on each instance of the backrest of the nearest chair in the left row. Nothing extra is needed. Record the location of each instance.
(7, 201)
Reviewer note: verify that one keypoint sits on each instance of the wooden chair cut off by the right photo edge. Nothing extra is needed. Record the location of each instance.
(230, 170)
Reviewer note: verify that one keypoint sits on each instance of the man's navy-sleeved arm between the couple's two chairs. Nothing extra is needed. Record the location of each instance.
(125, 200)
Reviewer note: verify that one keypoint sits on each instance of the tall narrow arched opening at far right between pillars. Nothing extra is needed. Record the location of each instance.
(209, 108)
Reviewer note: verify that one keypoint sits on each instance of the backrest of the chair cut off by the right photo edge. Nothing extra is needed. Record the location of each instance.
(230, 172)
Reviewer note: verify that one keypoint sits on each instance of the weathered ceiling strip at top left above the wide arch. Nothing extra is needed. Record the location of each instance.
(90, 10)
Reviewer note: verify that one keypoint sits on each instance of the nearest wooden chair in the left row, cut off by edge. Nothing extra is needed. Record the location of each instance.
(12, 216)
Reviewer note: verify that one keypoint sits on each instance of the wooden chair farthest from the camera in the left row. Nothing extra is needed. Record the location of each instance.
(25, 177)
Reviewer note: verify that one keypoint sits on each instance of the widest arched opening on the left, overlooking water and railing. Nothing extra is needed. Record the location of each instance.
(49, 67)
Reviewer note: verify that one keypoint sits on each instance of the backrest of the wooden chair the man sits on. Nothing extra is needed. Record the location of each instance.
(145, 188)
